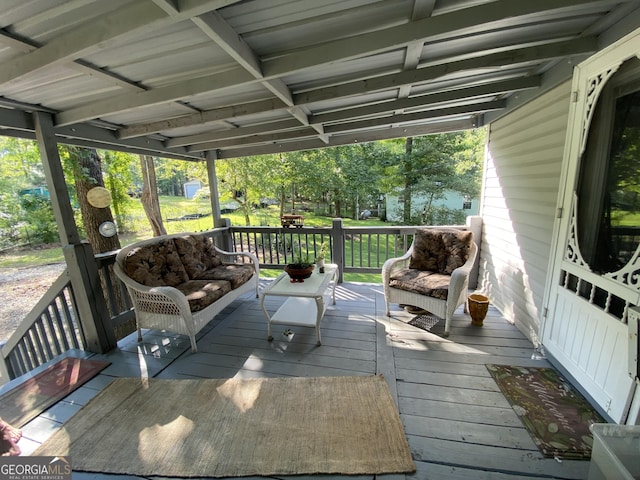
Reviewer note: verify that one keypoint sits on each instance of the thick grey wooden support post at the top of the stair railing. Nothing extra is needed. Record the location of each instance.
(93, 314)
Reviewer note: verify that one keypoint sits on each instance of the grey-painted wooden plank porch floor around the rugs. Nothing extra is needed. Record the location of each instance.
(458, 424)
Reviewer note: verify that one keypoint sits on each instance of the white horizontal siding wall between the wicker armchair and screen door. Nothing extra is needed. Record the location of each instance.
(521, 179)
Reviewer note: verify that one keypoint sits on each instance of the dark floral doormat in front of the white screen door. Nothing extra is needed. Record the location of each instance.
(556, 416)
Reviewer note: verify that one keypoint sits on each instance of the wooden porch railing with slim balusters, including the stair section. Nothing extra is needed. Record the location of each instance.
(52, 327)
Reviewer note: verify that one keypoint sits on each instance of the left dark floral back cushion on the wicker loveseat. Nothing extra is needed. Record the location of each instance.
(156, 265)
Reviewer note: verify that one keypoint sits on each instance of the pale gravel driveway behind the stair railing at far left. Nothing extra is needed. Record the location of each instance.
(20, 290)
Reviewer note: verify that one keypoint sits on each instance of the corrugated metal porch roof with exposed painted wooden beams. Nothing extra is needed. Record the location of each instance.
(191, 78)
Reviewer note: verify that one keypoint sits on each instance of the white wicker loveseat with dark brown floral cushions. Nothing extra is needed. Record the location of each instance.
(181, 282)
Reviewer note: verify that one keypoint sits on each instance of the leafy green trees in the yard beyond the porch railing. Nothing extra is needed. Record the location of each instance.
(334, 182)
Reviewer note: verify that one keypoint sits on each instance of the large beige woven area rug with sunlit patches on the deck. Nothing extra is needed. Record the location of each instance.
(229, 428)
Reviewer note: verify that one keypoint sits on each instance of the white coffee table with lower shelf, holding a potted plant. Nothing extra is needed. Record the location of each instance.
(306, 302)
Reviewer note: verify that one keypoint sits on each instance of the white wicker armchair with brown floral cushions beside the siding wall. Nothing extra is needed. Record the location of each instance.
(433, 274)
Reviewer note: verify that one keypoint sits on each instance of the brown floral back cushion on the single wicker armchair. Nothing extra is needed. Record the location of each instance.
(440, 250)
